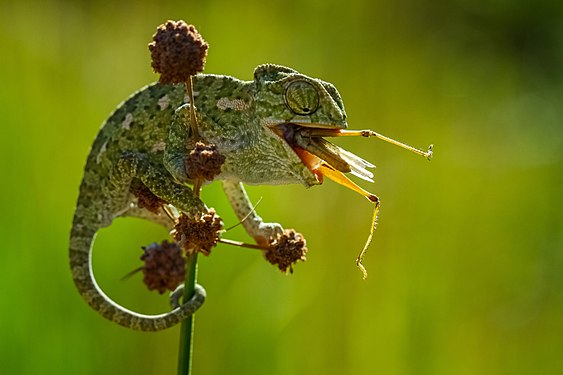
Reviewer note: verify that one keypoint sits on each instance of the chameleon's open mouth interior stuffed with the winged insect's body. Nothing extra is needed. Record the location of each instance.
(322, 157)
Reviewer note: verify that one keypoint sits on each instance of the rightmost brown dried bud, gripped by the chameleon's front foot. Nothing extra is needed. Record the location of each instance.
(286, 249)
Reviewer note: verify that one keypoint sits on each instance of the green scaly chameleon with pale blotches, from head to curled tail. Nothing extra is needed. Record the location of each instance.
(147, 138)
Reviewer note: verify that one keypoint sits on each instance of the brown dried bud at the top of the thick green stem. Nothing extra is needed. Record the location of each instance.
(198, 234)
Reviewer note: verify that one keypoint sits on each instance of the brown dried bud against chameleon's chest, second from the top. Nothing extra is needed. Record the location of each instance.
(204, 162)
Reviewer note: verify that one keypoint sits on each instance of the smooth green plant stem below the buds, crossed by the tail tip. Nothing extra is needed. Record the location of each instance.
(187, 329)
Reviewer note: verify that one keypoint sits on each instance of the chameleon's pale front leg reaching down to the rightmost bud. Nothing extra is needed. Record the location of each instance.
(254, 225)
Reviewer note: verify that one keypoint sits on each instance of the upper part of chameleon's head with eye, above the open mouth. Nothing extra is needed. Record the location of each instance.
(284, 96)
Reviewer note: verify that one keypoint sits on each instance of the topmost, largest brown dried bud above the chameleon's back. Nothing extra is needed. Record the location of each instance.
(178, 51)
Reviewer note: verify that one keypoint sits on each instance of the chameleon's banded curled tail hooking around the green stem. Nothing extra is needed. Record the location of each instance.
(80, 253)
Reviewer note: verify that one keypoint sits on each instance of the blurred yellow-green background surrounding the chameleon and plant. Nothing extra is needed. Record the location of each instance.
(466, 268)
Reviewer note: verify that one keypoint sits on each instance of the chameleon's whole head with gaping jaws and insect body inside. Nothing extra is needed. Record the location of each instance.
(296, 111)
